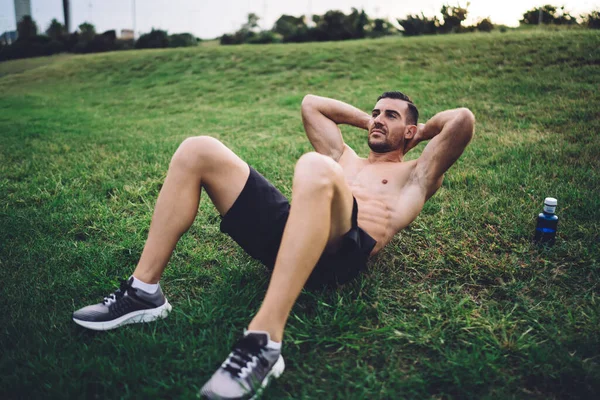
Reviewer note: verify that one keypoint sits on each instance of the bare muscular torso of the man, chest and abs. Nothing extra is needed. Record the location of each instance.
(388, 198)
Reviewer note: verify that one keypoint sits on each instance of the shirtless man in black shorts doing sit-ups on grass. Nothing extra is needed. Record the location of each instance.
(344, 209)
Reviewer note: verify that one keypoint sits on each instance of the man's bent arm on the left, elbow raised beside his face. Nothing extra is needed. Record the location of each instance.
(321, 117)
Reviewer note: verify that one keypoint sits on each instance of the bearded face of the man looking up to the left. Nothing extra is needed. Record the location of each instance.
(388, 128)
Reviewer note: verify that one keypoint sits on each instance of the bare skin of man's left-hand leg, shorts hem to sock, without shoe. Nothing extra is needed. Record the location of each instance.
(199, 162)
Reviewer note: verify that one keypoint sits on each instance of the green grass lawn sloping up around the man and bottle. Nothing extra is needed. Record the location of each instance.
(459, 305)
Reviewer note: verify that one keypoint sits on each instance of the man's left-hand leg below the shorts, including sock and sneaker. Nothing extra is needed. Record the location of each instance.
(200, 162)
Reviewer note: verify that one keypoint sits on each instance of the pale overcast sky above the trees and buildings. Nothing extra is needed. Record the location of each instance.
(209, 19)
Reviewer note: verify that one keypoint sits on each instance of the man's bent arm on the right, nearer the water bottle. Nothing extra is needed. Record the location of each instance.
(449, 133)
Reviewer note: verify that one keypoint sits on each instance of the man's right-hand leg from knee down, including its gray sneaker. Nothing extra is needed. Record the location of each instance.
(320, 214)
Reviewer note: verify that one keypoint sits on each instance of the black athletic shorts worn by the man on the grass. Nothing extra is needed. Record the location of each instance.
(256, 222)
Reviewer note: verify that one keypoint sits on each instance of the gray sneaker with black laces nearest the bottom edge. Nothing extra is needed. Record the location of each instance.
(246, 371)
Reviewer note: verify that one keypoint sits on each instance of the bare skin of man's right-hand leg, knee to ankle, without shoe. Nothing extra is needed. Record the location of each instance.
(320, 214)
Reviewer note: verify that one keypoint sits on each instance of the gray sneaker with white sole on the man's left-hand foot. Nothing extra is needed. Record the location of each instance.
(127, 305)
